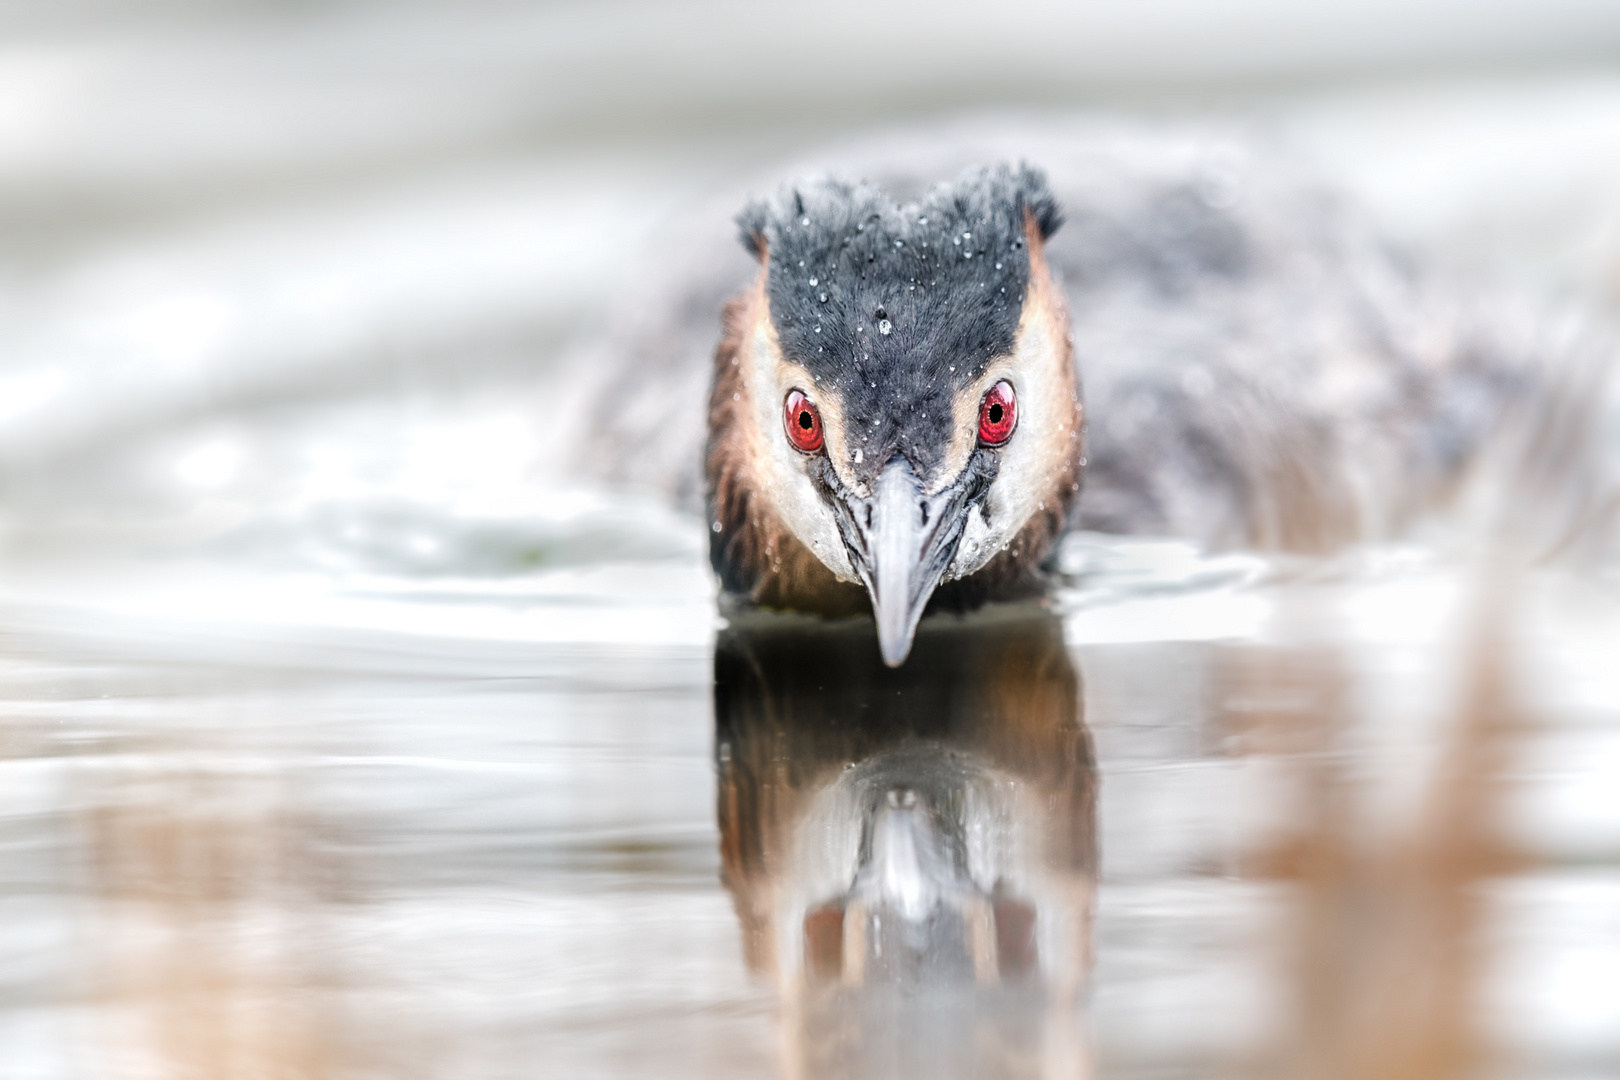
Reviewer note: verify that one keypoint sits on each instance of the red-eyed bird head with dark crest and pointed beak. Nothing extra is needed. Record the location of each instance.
(895, 401)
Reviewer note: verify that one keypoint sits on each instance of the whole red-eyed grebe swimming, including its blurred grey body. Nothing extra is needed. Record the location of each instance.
(895, 415)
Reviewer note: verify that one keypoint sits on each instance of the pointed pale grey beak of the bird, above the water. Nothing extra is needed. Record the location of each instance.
(902, 543)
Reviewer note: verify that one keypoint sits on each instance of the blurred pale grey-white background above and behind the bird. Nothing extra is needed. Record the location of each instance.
(231, 221)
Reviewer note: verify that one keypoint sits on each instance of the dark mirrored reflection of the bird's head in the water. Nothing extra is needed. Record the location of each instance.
(911, 851)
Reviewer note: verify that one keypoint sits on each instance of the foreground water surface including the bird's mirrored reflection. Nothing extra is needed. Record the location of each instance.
(1203, 817)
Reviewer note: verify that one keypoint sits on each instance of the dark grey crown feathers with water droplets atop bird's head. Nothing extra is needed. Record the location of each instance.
(898, 308)
